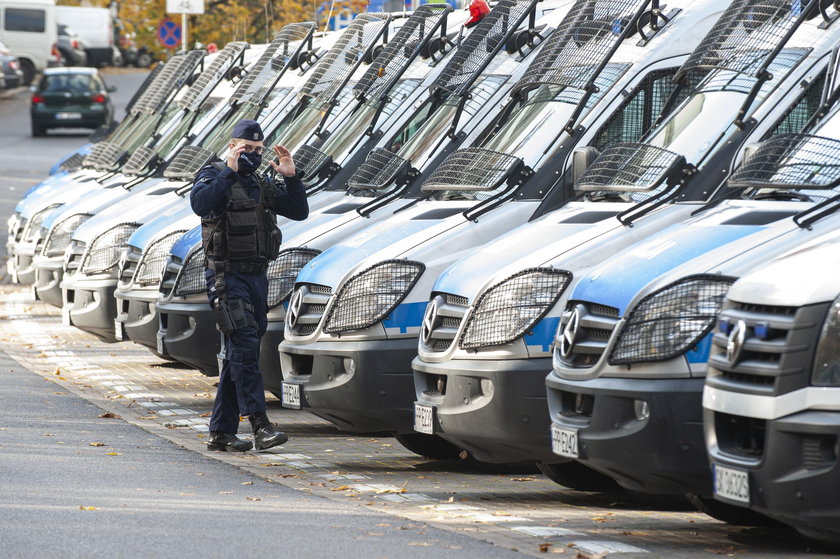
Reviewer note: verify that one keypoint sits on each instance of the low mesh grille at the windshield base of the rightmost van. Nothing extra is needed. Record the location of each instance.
(792, 161)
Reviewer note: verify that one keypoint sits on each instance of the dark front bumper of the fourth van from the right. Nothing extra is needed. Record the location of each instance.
(361, 387)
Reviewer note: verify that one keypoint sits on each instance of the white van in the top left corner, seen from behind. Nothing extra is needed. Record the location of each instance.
(28, 28)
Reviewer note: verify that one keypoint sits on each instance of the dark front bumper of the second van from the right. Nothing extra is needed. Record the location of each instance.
(647, 434)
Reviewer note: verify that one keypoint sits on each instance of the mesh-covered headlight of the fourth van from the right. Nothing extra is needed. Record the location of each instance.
(372, 294)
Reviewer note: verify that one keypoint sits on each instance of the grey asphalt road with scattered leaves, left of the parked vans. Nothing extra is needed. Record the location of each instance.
(63, 495)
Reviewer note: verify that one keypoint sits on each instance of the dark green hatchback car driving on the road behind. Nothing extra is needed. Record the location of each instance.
(70, 98)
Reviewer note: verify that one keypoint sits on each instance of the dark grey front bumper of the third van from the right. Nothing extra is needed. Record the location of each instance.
(494, 409)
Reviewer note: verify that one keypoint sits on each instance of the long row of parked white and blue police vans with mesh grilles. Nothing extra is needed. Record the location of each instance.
(595, 235)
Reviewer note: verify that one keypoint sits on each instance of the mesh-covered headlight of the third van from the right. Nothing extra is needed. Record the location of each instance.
(510, 308)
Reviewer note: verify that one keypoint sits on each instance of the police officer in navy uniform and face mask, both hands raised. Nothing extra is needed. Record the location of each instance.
(238, 212)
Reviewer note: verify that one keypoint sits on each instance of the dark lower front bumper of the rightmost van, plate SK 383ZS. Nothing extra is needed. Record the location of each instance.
(796, 476)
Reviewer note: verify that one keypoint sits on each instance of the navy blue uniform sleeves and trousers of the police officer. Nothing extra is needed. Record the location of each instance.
(241, 390)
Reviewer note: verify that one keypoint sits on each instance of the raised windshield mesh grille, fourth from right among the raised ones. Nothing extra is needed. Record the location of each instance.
(390, 64)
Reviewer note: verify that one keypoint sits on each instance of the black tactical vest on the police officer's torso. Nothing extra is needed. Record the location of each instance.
(245, 232)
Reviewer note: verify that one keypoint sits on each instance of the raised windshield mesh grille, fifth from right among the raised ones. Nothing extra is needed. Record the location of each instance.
(334, 68)
